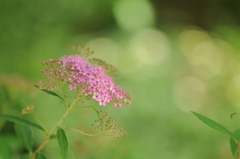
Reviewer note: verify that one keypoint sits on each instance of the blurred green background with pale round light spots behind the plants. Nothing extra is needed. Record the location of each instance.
(173, 57)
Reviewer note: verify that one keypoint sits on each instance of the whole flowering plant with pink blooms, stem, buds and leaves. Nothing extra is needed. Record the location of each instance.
(87, 78)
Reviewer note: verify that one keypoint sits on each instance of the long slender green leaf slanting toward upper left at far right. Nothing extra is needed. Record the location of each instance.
(213, 124)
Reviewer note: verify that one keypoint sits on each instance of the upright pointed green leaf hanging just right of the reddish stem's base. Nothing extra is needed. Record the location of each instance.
(62, 142)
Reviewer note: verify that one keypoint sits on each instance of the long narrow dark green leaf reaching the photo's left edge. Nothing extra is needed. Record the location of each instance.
(20, 121)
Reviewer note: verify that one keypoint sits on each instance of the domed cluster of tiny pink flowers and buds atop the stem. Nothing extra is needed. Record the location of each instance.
(87, 79)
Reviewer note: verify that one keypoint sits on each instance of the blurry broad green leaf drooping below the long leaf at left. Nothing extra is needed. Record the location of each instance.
(25, 134)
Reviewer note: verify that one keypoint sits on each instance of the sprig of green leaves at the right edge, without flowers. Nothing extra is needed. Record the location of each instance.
(234, 136)
